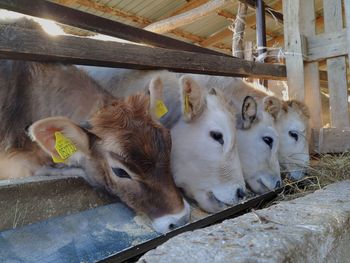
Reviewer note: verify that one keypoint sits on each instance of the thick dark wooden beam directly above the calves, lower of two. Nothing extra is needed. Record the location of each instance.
(25, 44)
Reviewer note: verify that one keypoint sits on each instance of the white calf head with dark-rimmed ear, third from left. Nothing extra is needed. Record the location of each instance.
(258, 143)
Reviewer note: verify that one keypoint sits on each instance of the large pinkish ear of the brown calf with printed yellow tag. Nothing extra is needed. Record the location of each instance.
(60, 138)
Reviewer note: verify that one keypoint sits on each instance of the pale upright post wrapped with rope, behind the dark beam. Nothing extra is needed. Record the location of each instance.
(238, 32)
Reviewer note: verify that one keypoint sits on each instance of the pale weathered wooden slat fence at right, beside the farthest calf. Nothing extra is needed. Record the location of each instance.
(304, 49)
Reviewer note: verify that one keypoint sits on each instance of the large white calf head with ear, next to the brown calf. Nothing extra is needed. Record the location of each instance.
(205, 159)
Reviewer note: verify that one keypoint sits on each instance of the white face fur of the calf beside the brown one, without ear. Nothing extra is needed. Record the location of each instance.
(202, 166)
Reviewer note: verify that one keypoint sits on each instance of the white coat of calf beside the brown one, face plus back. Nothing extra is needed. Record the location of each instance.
(207, 171)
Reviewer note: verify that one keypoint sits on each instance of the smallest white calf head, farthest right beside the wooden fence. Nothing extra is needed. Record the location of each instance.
(293, 152)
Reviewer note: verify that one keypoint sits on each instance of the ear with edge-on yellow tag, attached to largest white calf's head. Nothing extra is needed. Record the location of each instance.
(192, 98)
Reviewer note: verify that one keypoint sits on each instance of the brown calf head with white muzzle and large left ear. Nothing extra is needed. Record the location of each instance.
(125, 151)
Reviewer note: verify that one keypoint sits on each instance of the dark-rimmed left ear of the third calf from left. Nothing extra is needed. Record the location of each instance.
(248, 114)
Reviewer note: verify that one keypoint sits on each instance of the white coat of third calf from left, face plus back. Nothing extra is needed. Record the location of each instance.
(260, 165)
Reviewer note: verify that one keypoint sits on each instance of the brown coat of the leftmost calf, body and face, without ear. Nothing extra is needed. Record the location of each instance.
(32, 91)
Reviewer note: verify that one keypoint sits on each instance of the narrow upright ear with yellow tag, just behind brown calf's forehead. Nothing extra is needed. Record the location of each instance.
(158, 108)
